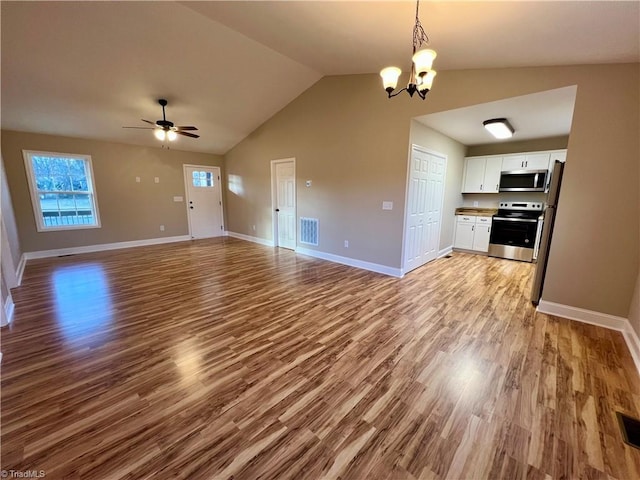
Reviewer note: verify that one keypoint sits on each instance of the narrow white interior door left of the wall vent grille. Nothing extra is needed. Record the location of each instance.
(284, 200)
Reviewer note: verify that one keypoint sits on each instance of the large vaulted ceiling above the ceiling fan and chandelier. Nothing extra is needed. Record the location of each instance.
(86, 69)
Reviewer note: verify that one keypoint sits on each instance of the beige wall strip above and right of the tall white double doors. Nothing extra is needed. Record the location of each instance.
(455, 153)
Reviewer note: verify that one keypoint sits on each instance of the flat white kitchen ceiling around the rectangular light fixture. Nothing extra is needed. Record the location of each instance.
(539, 115)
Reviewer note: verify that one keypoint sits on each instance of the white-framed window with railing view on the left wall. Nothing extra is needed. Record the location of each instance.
(62, 190)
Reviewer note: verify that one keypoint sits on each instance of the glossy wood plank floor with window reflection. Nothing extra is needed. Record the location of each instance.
(221, 358)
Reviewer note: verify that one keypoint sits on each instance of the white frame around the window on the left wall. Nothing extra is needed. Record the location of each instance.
(35, 194)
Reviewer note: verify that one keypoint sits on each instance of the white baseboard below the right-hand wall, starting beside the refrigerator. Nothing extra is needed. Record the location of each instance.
(599, 319)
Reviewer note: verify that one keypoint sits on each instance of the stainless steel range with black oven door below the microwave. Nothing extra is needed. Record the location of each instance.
(515, 231)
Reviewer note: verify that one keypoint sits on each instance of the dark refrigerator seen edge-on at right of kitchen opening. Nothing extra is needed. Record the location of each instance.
(547, 231)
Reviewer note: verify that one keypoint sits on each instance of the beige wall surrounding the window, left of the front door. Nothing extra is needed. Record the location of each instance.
(128, 210)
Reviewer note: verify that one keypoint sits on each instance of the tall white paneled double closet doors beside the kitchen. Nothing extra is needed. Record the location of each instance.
(424, 207)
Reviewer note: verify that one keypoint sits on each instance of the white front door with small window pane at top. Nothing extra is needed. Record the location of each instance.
(204, 201)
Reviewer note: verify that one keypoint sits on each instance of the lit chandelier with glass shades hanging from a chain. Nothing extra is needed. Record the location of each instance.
(422, 75)
